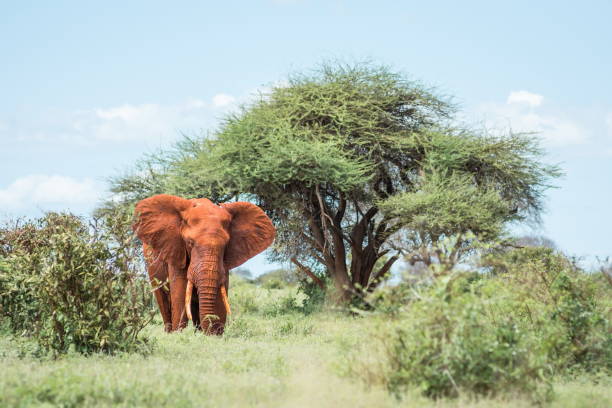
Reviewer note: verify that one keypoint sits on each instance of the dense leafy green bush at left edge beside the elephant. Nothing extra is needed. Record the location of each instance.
(73, 285)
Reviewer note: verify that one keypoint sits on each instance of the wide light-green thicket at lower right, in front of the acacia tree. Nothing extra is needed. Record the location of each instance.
(530, 315)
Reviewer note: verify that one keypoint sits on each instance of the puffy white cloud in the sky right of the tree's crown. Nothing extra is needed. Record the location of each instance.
(522, 113)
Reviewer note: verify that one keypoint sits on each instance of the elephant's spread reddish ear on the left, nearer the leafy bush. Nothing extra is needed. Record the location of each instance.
(158, 224)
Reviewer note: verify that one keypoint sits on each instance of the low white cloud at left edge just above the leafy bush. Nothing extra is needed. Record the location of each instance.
(40, 190)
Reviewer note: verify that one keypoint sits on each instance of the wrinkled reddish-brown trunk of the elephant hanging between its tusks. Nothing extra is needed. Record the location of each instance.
(207, 279)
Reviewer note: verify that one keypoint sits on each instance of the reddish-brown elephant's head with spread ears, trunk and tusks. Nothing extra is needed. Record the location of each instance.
(206, 239)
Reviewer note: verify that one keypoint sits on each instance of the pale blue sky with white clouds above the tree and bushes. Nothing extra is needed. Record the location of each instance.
(88, 88)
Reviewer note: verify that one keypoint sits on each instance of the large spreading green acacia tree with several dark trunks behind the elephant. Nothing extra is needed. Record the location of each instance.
(347, 157)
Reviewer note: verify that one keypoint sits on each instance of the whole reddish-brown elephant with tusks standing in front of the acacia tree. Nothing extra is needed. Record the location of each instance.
(192, 244)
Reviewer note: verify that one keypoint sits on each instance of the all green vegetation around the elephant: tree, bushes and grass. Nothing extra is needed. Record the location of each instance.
(359, 169)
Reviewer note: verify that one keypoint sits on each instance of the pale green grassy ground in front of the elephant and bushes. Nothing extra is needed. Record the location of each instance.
(269, 357)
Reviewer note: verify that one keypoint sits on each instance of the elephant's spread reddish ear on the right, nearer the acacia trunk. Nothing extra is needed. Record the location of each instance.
(251, 231)
